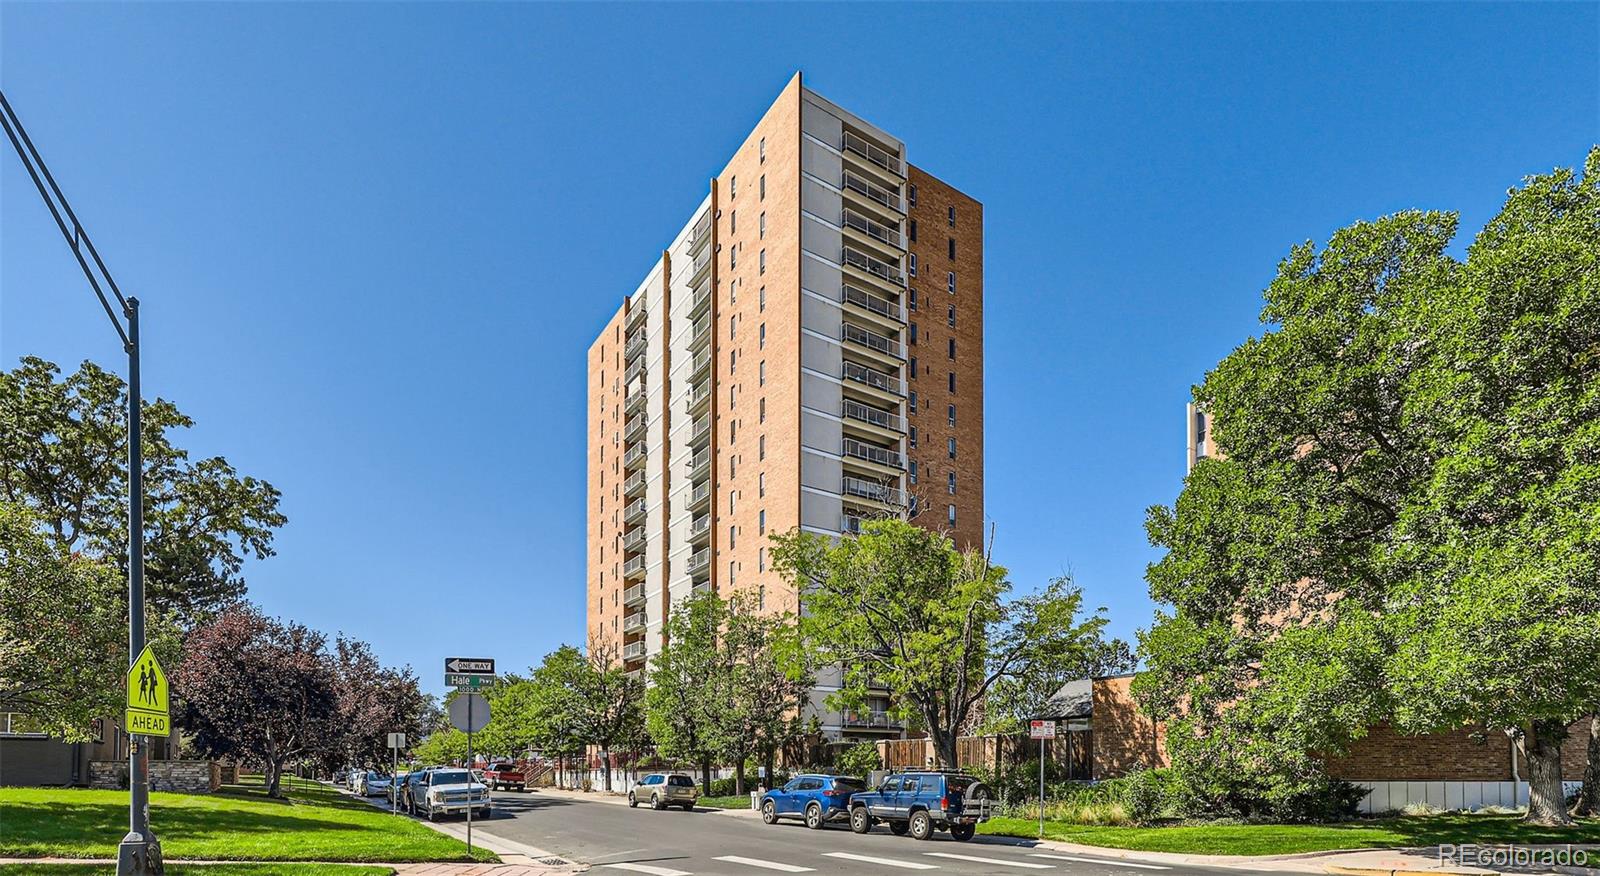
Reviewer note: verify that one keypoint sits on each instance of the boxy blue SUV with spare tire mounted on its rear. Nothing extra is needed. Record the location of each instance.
(921, 803)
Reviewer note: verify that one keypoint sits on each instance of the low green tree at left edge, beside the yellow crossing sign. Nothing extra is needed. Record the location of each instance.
(63, 631)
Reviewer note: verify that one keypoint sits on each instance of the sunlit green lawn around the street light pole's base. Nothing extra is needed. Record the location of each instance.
(314, 824)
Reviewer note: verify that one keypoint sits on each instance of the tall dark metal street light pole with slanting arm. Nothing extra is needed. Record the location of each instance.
(140, 853)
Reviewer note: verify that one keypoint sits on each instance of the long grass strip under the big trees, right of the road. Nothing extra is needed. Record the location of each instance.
(1287, 840)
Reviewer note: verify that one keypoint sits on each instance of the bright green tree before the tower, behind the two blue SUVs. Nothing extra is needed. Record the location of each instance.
(902, 605)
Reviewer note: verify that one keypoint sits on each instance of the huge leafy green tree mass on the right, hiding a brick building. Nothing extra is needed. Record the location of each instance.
(1406, 520)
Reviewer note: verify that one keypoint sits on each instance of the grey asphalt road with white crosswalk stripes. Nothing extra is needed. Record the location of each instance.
(617, 840)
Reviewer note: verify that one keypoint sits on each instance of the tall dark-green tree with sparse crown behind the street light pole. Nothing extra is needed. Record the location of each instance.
(63, 455)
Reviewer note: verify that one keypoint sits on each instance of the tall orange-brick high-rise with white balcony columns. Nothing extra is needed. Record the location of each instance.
(807, 354)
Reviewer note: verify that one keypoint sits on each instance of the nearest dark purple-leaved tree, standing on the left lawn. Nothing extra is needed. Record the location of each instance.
(258, 690)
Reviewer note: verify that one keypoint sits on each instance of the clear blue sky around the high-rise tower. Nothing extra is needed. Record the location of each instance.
(375, 241)
